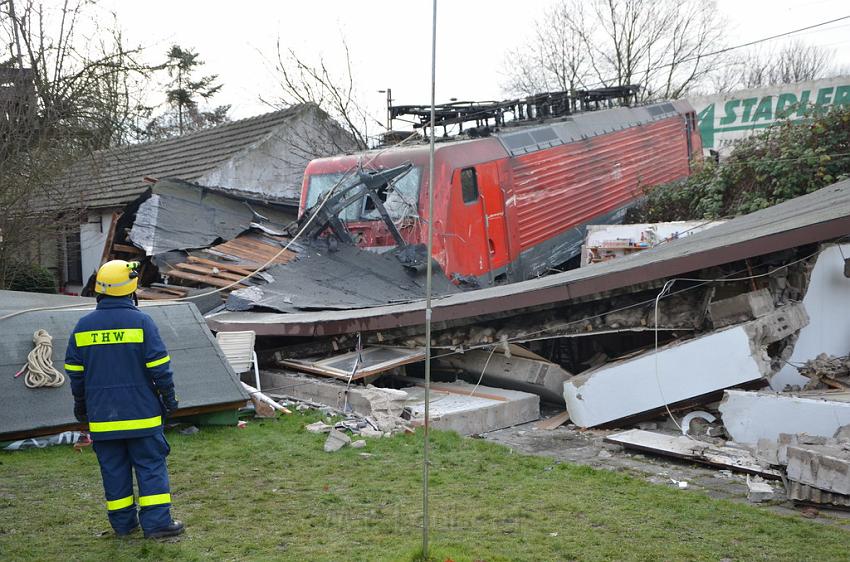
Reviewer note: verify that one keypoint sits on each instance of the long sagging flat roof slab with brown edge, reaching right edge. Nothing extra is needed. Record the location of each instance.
(817, 216)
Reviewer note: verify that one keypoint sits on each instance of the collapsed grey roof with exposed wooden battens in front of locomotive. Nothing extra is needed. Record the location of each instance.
(198, 237)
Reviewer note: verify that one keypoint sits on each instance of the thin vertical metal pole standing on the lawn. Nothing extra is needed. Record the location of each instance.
(428, 274)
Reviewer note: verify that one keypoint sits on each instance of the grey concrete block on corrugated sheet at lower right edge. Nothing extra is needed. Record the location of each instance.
(826, 467)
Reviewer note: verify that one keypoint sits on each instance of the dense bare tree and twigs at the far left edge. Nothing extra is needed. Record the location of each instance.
(69, 95)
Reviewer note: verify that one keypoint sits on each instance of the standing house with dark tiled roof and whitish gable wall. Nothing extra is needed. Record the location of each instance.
(263, 156)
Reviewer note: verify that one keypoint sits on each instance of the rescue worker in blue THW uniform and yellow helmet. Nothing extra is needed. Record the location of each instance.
(122, 384)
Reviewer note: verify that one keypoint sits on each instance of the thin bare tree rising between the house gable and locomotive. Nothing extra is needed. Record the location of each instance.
(304, 82)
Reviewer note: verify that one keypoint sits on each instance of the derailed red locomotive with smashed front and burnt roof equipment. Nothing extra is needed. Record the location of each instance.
(510, 204)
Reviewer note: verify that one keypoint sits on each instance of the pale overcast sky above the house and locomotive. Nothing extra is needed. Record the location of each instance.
(390, 39)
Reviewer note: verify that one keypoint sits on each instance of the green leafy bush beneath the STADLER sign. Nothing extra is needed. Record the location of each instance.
(789, 159)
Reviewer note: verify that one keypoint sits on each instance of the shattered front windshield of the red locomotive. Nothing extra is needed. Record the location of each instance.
(400, 198)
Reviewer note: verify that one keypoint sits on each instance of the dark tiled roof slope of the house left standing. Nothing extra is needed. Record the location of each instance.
(113, 177)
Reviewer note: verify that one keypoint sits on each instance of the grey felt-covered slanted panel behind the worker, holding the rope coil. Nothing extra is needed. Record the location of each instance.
(202, 376)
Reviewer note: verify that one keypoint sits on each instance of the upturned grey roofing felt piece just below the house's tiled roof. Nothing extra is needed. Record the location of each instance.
(178, 215)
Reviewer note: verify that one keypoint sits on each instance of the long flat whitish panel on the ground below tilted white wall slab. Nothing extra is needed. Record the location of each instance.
(687, 448)
